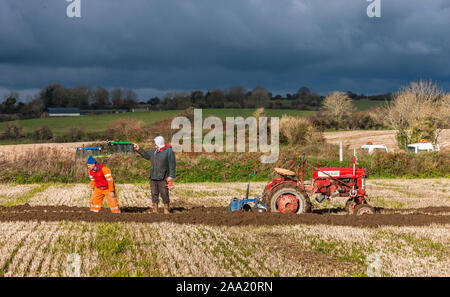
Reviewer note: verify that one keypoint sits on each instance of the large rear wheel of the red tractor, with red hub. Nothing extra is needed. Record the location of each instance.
(288, 198)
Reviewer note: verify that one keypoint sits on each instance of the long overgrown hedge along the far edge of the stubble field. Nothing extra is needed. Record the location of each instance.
(53, 165)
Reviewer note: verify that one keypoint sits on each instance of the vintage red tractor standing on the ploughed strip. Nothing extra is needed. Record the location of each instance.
(287, 193)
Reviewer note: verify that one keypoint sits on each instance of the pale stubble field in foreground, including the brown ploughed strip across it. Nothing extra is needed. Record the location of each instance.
(42, 225)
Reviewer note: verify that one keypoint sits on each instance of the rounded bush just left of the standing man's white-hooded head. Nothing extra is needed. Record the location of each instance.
(127, 130)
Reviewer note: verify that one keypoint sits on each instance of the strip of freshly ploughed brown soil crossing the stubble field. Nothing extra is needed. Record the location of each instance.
(220, 217)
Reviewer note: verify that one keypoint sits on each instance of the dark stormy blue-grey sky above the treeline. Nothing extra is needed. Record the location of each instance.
(156, 46)
